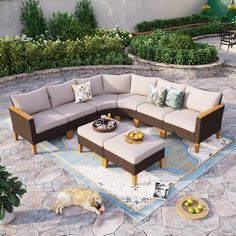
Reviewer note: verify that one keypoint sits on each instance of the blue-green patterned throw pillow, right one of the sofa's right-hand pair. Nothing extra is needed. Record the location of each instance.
(174, 98)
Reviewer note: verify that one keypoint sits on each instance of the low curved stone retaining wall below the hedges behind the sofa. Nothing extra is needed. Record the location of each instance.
(142, 67)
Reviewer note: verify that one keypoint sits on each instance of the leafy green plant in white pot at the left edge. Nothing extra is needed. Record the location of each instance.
(11, 191)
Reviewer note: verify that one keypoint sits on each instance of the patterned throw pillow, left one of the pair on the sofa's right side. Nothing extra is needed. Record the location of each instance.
(156, 96)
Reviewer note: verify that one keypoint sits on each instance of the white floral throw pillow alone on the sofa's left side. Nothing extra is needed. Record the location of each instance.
(82, 92)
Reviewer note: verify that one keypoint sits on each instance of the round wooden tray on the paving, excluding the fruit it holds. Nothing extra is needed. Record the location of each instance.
(182, 209)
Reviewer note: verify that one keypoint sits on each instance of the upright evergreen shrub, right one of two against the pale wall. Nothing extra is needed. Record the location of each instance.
(84, 13)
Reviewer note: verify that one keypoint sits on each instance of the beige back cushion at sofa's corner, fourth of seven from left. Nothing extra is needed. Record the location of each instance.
(116, 83)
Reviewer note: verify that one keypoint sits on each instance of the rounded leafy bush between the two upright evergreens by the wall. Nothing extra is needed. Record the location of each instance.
(64, 26)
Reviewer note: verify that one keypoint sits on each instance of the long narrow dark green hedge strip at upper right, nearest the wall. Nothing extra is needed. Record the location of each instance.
(174, 22)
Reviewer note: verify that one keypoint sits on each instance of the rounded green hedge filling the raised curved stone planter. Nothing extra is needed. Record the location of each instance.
(172, 48)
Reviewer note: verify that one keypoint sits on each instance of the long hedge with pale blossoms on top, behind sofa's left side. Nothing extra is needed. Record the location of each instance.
(19, 55)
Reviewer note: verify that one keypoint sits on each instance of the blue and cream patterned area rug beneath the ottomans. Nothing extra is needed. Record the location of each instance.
(181, 167)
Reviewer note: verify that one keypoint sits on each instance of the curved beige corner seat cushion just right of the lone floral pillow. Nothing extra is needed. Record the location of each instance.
(105, 101)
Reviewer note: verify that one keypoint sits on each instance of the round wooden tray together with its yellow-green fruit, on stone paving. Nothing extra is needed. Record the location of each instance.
(191, 207)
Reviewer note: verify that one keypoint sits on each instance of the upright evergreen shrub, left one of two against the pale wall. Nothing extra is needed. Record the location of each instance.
(32, 18)
